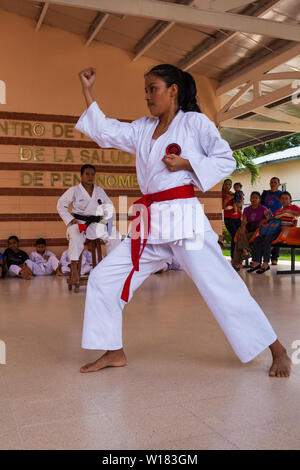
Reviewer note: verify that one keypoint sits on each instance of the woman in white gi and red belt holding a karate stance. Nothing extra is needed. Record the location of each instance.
(167, 180)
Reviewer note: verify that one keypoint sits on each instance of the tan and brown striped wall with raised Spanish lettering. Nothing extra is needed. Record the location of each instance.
(40, 153)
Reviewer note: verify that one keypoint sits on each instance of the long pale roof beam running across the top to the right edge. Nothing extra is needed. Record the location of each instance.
(190, 15)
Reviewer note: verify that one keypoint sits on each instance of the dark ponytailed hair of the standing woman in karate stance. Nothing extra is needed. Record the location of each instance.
(187, 91)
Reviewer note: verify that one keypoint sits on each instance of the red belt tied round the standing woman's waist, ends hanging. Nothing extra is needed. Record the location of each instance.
(180, 192)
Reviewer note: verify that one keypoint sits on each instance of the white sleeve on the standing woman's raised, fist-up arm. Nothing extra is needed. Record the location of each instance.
(108, 133)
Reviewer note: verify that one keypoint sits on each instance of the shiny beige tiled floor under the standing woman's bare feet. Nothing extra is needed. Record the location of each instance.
(183, 387)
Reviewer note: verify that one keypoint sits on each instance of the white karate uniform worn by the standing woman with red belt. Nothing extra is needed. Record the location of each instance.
(241, 318)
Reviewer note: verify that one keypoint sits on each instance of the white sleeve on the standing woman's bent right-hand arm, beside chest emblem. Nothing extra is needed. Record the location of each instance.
(215, 161)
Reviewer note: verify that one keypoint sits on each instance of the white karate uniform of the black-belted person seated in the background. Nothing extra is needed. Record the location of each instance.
(83, 204)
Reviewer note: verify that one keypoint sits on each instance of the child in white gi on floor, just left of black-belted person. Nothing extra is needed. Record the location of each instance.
(45, 262)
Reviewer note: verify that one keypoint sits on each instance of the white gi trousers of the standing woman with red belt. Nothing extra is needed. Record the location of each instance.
(238, 314)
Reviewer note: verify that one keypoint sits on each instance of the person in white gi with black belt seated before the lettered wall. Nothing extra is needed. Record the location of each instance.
(91, 213)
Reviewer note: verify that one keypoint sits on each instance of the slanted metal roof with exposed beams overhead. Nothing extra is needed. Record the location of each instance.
(224, 54)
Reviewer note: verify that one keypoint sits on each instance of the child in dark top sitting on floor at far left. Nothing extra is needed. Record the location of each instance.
(17, 261)
